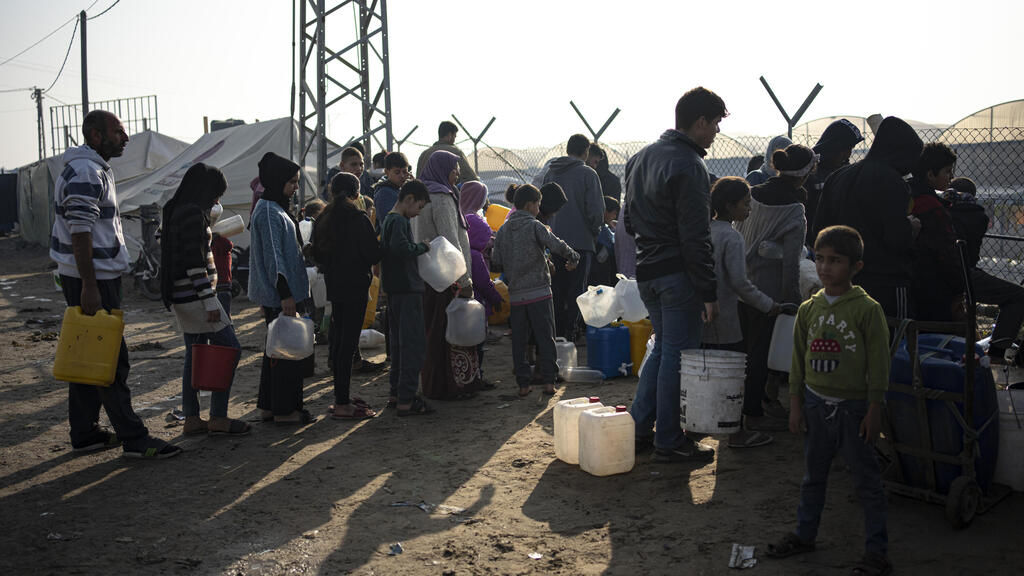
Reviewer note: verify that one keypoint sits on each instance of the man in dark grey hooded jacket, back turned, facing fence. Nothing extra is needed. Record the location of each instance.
(578, 224)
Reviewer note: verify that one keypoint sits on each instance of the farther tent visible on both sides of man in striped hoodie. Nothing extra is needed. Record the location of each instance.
(146, 152)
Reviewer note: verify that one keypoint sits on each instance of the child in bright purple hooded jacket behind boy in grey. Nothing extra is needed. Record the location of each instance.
(471, 202)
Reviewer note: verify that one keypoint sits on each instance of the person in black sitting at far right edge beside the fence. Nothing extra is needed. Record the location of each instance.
(971, 223)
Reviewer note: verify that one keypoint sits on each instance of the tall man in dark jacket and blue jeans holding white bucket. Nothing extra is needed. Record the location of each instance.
(667, 190)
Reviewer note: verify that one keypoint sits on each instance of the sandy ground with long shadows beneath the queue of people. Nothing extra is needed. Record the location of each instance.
(320, 500)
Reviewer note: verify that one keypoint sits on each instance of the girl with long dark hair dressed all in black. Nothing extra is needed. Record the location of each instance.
(346, 249)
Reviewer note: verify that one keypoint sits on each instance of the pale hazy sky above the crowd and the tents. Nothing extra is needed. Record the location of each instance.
(523, 63)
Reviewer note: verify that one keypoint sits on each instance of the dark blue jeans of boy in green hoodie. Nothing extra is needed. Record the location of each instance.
(832, 429)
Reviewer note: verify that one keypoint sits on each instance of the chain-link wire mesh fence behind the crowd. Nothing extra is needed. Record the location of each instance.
(994, 158)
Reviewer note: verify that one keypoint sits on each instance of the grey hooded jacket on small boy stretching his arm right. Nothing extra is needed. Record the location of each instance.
(520, 252)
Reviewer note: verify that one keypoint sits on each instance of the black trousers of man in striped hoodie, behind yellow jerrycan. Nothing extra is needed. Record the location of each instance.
(84, 400)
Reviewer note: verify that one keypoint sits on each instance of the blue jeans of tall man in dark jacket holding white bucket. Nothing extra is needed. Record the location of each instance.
(675, 316)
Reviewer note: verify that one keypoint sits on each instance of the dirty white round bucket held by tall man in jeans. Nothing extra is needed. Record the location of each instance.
(711, 391)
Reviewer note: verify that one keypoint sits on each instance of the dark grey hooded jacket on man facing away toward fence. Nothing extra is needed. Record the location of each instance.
(580, 221)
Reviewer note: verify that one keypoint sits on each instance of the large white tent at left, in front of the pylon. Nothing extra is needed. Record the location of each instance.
(237, 152)
